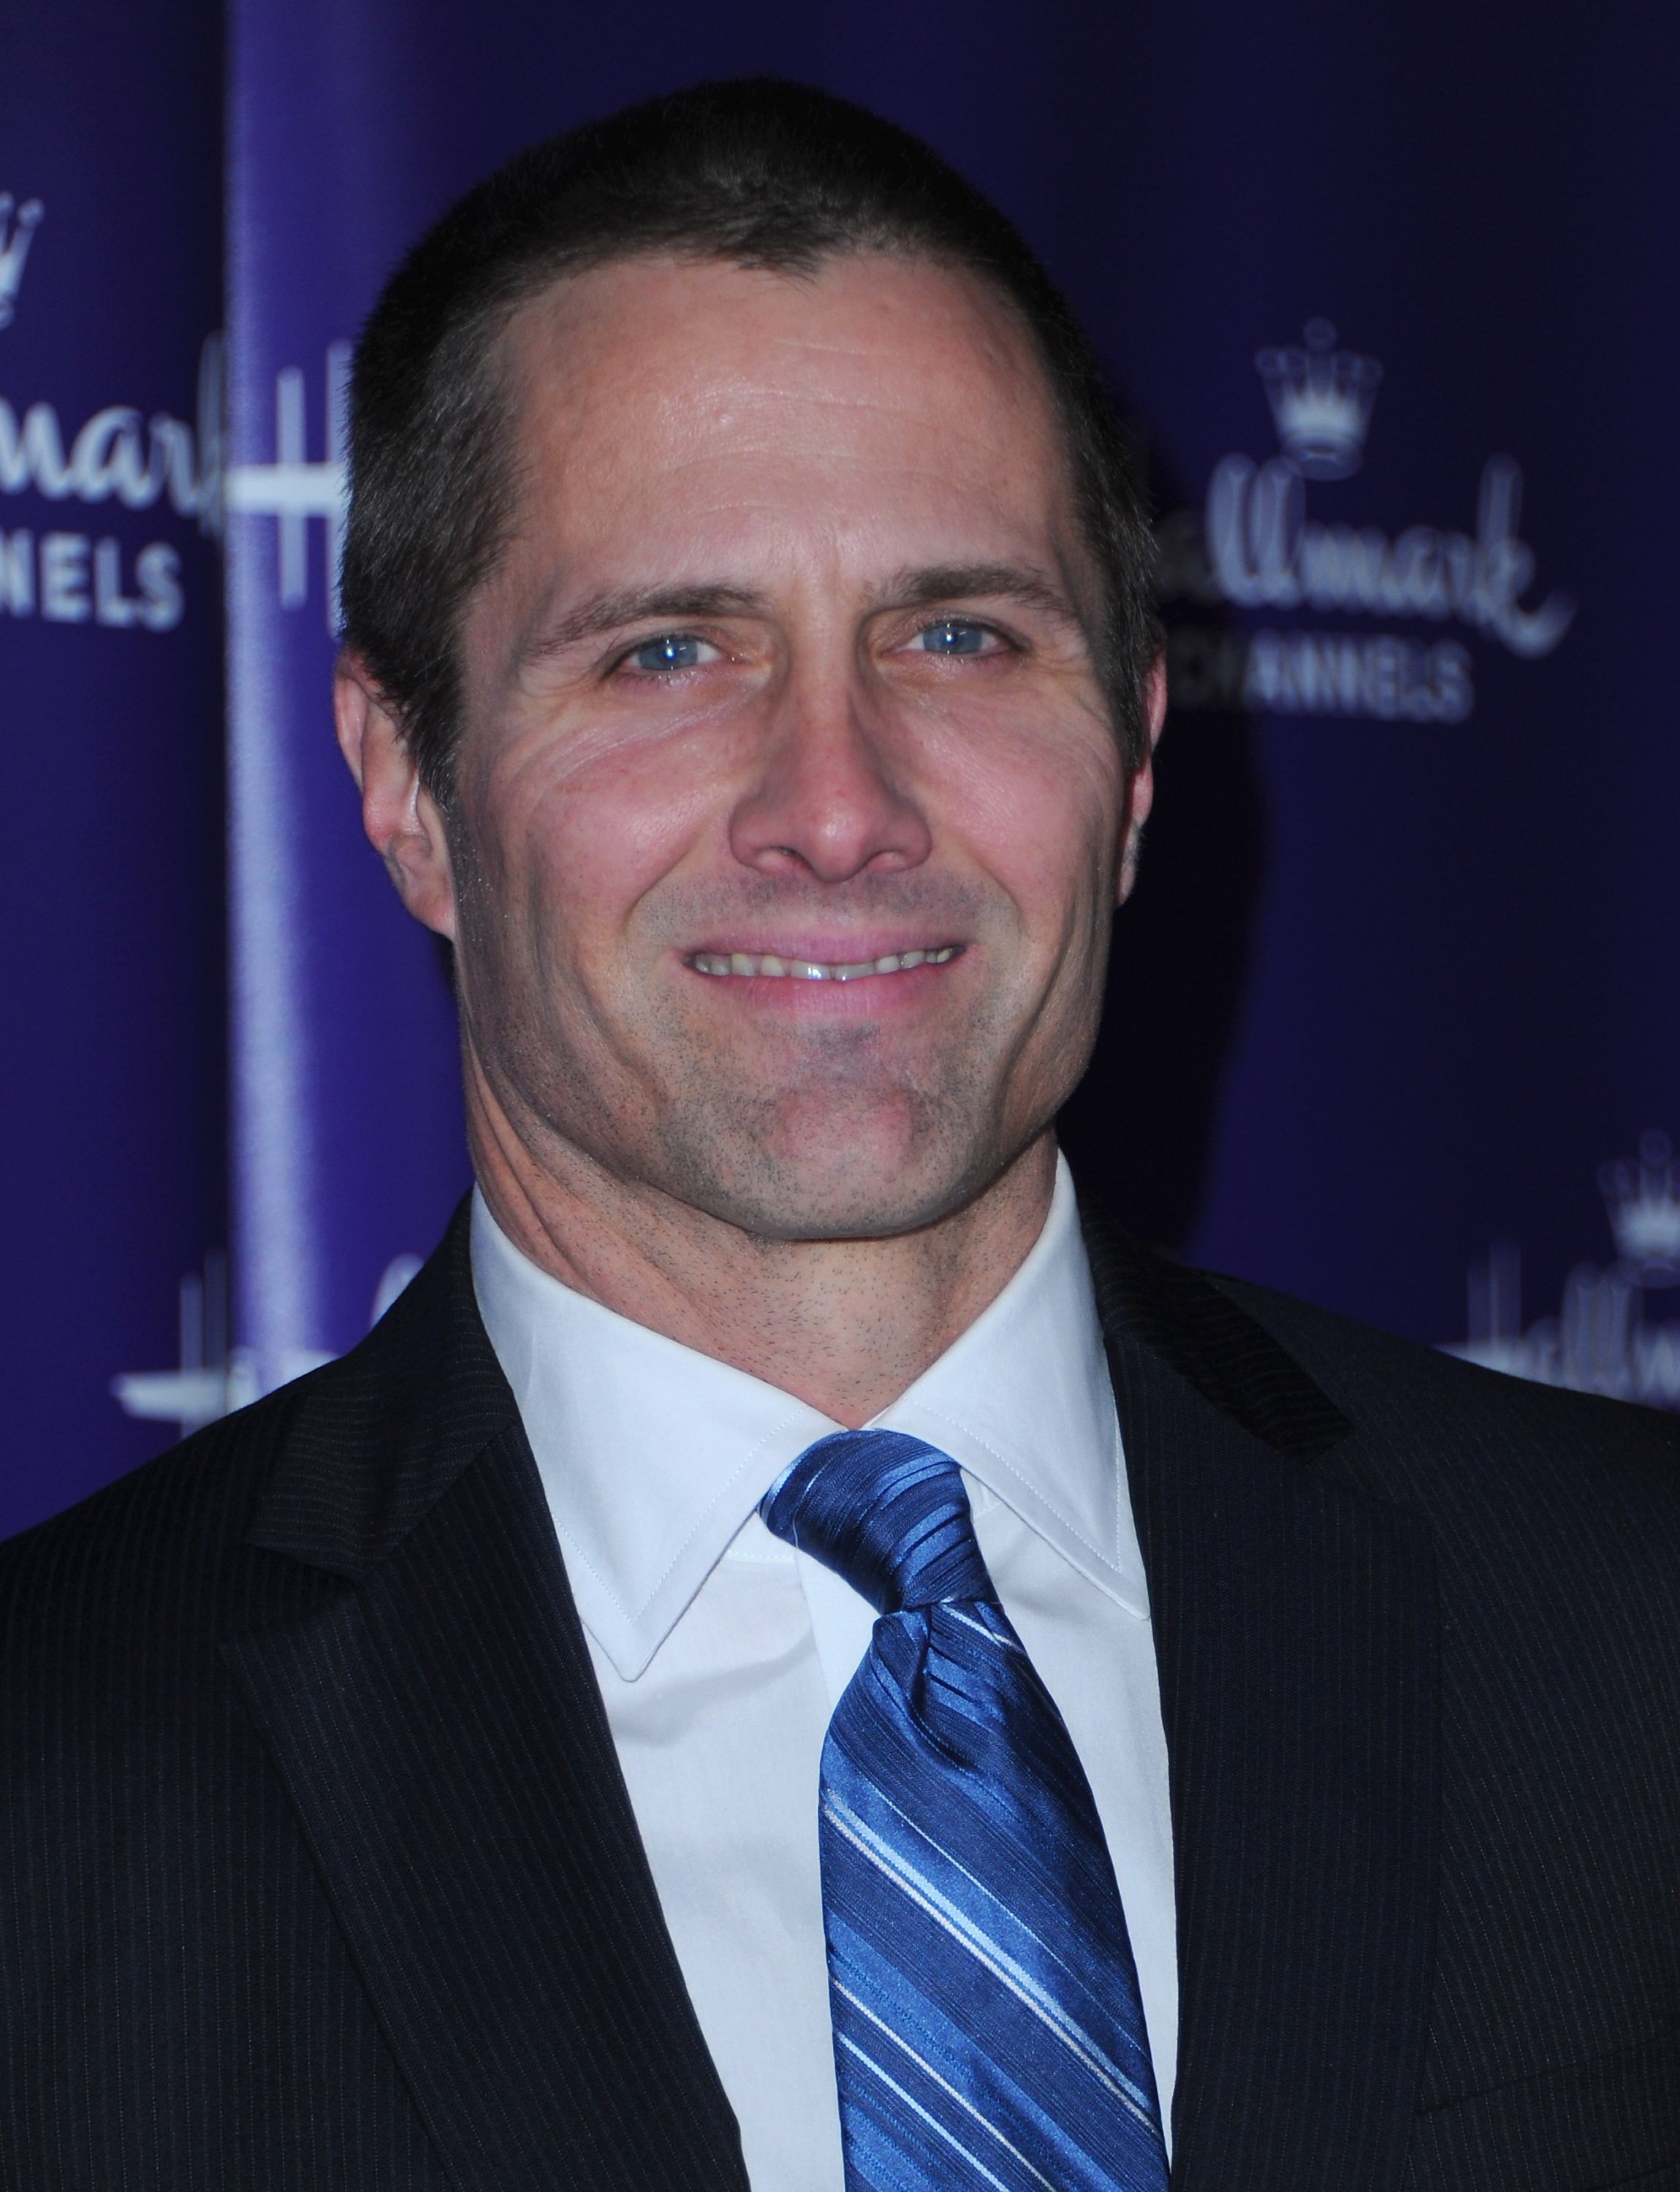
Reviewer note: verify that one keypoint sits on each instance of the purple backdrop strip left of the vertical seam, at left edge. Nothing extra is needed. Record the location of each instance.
(113, 1121)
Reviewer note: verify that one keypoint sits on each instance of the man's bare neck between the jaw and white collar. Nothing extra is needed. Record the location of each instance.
(841, 1325)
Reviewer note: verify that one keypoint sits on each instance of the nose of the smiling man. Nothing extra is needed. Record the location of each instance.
(832, 799)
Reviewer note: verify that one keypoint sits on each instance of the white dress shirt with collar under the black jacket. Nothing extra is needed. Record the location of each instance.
(723, 1652)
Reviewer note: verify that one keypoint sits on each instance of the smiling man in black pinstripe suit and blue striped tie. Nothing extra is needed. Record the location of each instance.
(481, 1763)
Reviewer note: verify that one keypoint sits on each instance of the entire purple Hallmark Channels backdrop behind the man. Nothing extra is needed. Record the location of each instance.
(1389, 299)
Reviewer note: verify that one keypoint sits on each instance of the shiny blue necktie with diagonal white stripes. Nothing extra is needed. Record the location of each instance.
(988, 2029)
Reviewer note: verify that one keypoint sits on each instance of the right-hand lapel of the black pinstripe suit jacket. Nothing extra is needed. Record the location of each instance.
(1295, 1639)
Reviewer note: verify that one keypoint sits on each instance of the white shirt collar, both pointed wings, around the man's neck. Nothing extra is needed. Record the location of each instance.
(652, 1454)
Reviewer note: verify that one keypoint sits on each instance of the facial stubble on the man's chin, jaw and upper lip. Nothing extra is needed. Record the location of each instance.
(793, 1132)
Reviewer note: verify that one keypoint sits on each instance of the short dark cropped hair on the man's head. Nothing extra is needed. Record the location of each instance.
(760, 174)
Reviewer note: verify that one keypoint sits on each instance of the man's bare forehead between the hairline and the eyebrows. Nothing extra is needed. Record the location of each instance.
(881, 393)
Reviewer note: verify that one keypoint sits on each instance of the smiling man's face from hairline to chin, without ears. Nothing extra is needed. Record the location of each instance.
(788, 667)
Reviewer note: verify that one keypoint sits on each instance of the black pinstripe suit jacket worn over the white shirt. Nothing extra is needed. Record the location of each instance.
(317, 1869)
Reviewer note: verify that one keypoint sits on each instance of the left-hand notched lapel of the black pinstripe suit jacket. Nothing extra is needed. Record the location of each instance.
(440, 1731)
